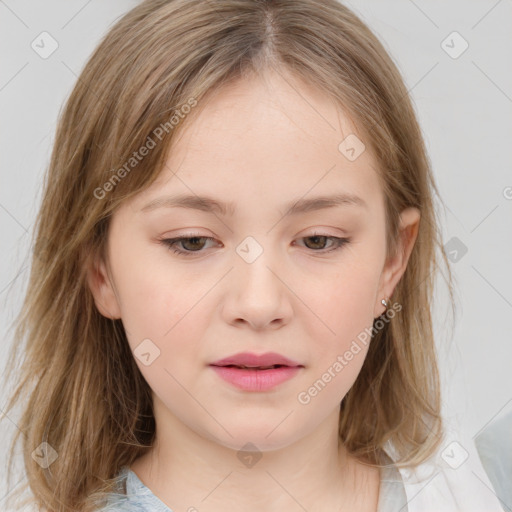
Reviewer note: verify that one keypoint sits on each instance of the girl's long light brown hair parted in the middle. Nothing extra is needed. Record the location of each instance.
(81, 390)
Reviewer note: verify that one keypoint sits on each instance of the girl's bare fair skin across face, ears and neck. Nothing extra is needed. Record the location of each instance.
(260, 144)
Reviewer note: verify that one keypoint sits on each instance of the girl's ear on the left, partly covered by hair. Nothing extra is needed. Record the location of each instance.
(102, 289)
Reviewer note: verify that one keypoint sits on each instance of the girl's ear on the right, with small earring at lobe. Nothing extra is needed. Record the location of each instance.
(395, 266)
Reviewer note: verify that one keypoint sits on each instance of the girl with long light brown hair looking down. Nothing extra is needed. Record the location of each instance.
(236, 250)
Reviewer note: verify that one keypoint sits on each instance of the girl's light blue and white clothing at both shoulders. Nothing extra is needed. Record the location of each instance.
(452, 480)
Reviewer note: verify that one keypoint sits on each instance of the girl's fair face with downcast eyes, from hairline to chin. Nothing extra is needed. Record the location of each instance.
(256, 277)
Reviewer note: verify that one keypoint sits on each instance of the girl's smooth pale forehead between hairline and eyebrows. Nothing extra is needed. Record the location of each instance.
(270, 137)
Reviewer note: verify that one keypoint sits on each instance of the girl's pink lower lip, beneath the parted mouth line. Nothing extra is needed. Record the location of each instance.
(256, 380)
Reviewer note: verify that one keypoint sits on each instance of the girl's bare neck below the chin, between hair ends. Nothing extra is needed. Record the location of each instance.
(186, 470)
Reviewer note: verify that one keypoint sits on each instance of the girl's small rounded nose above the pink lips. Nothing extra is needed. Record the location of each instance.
(257, 295)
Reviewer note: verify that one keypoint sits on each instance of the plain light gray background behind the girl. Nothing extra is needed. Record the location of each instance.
(464, 106)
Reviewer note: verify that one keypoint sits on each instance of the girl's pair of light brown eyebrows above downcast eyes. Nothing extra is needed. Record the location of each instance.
(211, 205)
